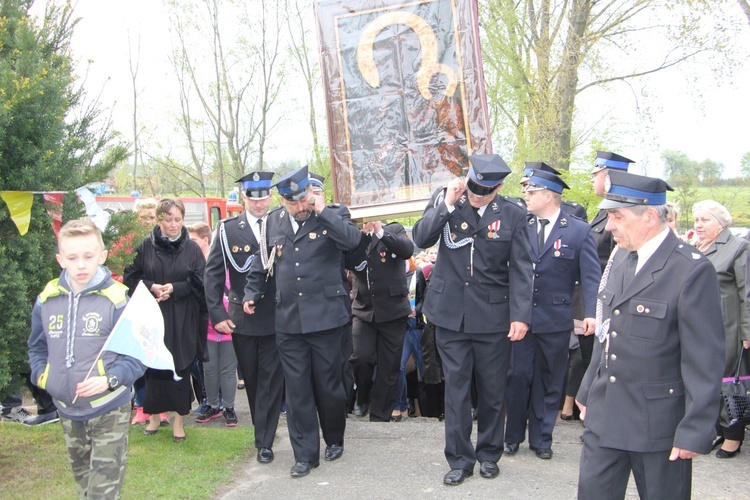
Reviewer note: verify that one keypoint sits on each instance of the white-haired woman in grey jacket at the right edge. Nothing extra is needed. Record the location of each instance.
(729, 255)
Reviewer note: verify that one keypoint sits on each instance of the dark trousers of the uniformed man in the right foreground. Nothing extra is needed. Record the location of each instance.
(604, 473)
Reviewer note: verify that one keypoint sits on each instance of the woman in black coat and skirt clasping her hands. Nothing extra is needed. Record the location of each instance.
(171, 265)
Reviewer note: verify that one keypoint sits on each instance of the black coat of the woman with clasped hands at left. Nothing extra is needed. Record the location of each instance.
(182, 264)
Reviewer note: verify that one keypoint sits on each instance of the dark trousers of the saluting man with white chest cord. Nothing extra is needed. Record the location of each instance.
(487, 355)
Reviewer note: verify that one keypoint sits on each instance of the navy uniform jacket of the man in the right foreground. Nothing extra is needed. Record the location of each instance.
(659, 384)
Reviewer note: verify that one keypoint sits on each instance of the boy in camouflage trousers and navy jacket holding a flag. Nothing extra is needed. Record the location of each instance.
(70, 323)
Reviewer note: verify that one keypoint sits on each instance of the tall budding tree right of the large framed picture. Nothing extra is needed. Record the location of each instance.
(541, 55)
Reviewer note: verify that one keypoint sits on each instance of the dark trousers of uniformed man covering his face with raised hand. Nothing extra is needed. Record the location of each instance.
(312, 369)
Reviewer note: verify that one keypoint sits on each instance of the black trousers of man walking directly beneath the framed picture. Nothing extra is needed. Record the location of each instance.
(377, 346)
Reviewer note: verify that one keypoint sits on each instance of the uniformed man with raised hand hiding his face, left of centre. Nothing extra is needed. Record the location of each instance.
(305, 242)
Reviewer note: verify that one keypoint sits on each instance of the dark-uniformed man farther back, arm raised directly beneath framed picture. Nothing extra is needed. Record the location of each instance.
(380, 308)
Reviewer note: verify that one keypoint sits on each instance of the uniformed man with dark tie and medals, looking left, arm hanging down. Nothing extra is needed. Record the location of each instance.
(564, 252)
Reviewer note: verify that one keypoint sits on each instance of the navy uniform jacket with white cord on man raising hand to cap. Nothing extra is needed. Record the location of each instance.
(485, 290)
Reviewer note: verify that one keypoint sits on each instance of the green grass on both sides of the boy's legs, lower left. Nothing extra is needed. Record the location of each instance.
(33, 462)
